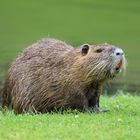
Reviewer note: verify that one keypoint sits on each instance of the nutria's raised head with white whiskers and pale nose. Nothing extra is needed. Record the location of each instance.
(103, 61)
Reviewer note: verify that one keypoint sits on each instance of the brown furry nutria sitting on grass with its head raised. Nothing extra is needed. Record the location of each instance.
(51, 74)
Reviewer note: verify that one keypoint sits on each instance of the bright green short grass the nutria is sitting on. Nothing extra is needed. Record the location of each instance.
(122, 122)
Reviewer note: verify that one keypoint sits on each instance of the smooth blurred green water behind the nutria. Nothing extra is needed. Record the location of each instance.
(74, 21)
